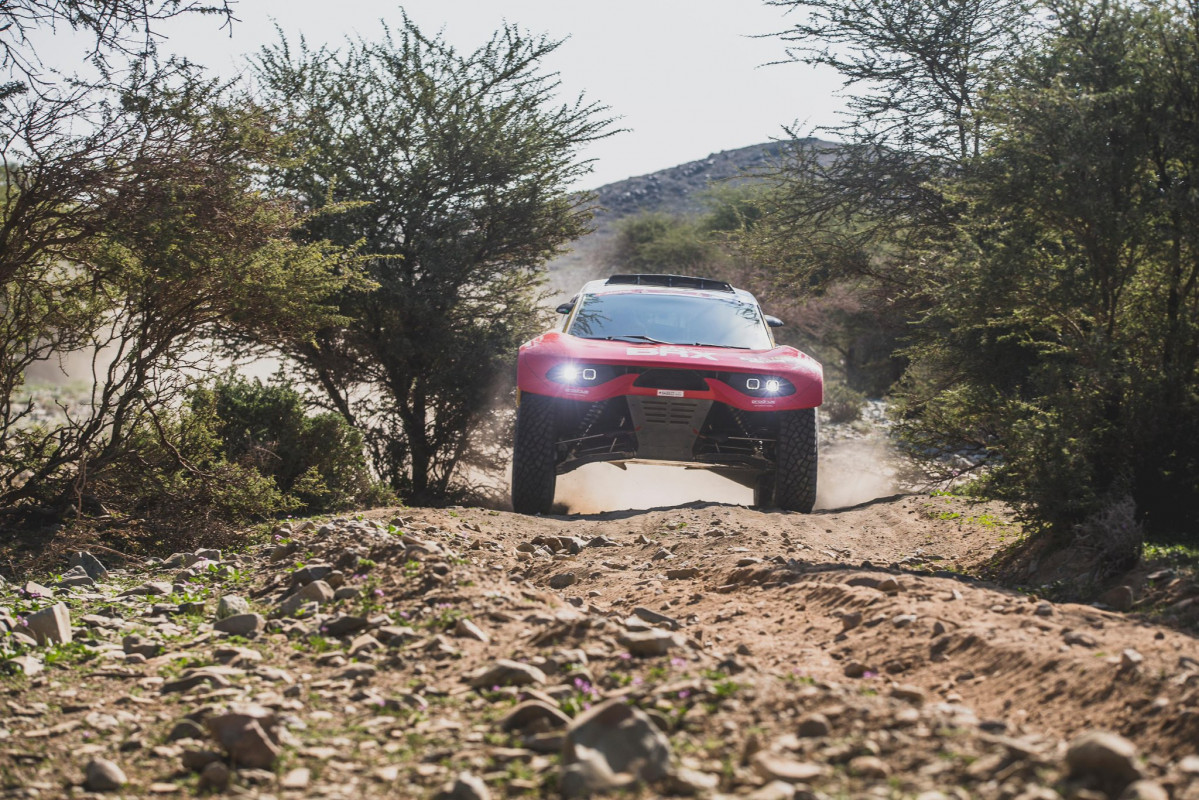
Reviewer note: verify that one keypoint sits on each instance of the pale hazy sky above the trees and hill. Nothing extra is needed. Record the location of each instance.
(686, 77)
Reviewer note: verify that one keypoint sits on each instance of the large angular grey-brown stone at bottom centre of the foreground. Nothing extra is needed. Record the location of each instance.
(611, 745)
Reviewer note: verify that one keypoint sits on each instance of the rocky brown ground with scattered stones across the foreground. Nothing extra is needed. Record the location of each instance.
(703, 651)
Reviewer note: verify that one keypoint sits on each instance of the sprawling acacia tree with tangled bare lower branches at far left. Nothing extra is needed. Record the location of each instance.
(142, 243)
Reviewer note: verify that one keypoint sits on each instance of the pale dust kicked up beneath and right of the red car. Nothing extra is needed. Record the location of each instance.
(852, 472)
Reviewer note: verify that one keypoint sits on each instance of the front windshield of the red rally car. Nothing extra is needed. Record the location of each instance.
(662, 318)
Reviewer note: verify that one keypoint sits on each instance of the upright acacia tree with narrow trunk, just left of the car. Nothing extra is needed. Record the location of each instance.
(457, 167)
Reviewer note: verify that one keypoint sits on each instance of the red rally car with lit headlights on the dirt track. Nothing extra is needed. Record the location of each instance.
(666, 369)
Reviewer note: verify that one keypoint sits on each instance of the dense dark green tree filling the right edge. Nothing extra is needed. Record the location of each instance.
(1073, 318)
